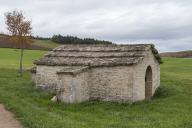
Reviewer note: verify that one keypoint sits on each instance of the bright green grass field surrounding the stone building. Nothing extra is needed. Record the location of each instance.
(170, 108)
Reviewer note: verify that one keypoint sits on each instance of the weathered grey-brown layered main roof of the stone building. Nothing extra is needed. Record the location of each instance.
(97, 55)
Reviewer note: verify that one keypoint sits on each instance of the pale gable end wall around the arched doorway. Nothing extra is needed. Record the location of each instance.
(139, 76)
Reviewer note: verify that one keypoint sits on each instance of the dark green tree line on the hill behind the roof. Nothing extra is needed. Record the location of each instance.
(75, 40)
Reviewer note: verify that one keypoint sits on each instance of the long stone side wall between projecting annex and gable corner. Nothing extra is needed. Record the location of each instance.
(111, 83)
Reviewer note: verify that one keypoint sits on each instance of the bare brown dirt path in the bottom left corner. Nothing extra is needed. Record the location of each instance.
(7, 120)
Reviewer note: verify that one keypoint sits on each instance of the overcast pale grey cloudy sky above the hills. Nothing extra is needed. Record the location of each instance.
(166, 23)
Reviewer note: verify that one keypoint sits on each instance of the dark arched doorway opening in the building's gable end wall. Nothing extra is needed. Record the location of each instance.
(148, 83)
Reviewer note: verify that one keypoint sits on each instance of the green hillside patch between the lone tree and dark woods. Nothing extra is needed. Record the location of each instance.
(45, 43)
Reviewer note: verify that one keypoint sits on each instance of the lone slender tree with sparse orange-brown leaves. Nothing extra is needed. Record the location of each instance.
(20, 32)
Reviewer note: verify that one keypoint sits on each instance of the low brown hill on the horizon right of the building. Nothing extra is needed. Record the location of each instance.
(182, 54)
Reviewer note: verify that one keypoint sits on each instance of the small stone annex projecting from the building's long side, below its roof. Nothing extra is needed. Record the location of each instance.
(73, 88)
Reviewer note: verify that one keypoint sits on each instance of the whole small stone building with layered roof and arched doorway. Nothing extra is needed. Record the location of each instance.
(120, 73)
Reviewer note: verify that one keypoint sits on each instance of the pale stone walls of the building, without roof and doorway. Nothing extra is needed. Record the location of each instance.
(118, 83)
